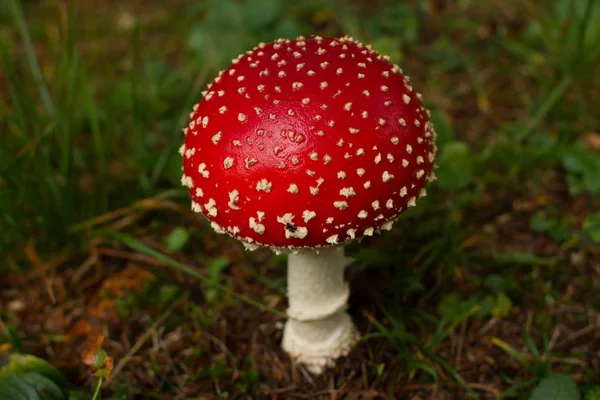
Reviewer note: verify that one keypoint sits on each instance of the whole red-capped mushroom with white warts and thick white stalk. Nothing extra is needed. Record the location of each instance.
(302, 146)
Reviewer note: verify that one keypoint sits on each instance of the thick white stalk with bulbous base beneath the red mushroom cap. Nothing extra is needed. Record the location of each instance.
(318, 330)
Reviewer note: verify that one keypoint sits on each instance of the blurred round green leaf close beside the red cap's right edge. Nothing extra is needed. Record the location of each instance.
(456, 166)
